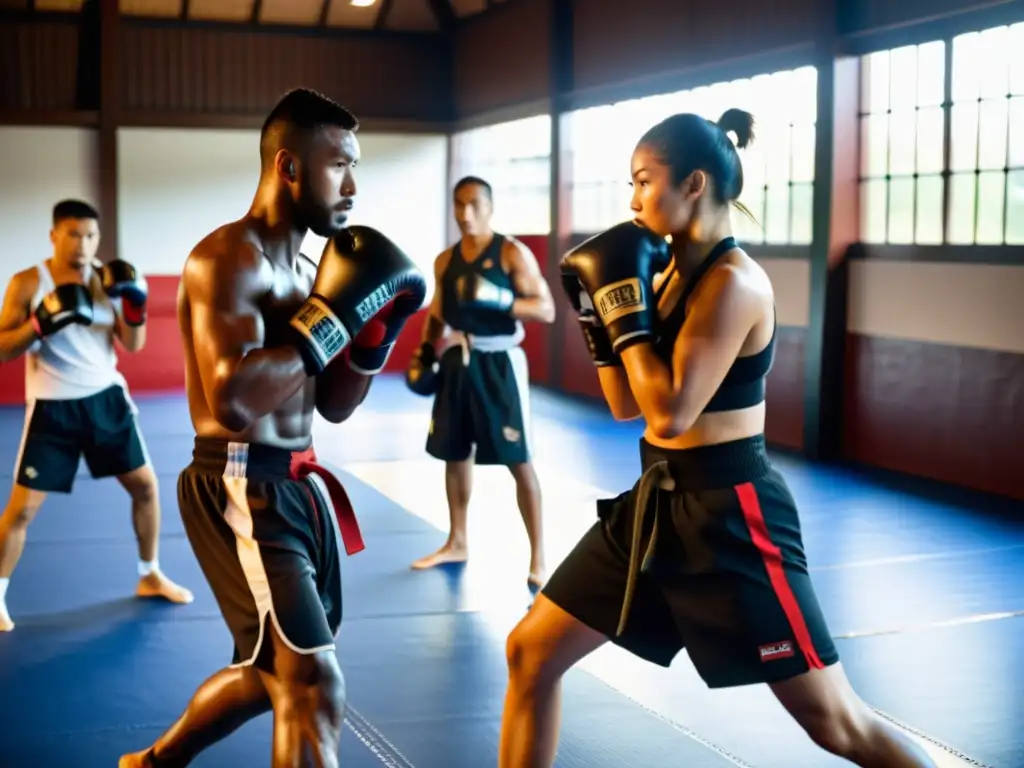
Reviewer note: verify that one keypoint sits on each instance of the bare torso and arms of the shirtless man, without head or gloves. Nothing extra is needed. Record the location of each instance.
(244, 381)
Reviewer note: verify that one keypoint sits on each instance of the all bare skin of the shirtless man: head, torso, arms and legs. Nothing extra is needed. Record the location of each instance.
(246, 382)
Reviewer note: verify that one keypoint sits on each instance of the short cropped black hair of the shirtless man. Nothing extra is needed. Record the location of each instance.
(296, 117)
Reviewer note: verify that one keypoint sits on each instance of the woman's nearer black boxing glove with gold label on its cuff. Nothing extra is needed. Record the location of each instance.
(617, 271)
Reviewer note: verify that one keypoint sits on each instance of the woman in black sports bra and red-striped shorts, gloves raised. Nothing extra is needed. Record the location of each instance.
(705, 552)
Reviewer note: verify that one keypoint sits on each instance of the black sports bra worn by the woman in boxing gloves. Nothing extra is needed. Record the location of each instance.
(744, 386)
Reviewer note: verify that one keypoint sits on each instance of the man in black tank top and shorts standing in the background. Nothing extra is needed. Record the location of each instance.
(487, 286)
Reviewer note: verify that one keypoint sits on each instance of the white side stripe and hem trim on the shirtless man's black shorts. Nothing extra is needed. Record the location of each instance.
(239, 517)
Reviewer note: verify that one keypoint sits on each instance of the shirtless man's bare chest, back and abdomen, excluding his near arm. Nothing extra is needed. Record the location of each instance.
(277, 291)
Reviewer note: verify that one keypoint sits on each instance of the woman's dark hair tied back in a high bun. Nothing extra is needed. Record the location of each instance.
(688, 143)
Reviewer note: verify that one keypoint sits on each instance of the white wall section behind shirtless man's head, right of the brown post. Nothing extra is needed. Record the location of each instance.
(177, 186)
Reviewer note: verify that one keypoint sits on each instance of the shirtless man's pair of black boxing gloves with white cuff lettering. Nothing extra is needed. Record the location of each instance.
(366, 289)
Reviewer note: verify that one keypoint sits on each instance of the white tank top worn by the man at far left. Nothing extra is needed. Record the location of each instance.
(77, 361)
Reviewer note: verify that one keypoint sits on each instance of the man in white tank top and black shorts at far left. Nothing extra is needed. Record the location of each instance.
(65, 315)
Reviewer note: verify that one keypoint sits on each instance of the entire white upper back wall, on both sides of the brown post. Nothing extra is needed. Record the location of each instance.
(176, 186)
